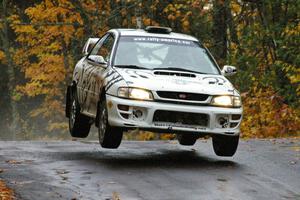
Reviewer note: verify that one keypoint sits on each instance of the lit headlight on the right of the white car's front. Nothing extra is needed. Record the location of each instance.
(227, 101)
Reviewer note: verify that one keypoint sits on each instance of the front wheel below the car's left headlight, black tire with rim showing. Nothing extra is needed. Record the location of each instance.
(109, 137)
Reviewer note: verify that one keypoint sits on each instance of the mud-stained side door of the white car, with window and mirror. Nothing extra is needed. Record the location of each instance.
(95, 65)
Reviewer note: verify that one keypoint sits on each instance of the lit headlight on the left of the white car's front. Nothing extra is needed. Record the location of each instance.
(135, 93)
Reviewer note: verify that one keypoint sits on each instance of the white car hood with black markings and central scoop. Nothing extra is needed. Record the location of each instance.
(165, 80)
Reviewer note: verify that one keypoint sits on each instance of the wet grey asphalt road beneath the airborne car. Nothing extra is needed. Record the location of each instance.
(156, 170)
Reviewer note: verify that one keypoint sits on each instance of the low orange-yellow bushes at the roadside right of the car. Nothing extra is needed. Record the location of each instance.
(266, 115)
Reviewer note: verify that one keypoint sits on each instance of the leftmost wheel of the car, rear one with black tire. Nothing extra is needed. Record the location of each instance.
(79, 124)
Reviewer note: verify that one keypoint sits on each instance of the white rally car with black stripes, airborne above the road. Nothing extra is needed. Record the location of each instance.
(157, 80)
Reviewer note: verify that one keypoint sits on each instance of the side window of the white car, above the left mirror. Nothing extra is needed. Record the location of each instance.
(104, 48)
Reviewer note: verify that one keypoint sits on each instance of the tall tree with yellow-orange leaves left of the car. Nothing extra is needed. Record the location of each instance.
(43, 54)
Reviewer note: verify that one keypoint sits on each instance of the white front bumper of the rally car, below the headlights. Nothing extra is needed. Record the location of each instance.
(145, 121)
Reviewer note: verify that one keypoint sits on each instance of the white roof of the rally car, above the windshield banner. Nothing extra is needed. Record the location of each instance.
(142, 32)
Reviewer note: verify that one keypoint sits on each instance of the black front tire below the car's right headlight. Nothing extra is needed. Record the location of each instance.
(225, 145)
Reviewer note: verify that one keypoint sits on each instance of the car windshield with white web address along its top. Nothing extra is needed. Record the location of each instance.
(163, 53)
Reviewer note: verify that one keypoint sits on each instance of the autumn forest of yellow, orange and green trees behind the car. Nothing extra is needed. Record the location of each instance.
(261, 38)
